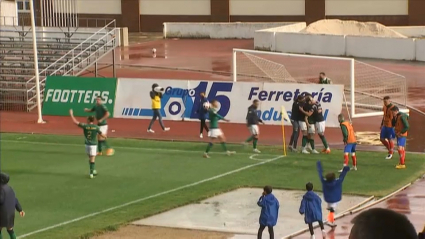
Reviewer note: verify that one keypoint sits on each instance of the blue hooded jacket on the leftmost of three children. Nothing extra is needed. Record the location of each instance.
(269, 210)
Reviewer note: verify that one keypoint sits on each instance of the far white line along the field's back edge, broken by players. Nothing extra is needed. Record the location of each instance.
(123, 147)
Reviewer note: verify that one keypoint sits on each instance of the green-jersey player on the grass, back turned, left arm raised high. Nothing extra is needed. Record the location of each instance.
(91, 131)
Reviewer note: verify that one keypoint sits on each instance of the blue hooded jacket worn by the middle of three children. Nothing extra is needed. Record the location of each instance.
(311, 207)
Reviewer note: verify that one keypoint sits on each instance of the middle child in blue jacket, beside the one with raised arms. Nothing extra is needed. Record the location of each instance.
(311, 208)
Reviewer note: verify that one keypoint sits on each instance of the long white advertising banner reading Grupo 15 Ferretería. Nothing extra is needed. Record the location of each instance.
(181, 99)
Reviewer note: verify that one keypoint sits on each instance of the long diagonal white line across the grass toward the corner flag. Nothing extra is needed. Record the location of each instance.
(150, 197)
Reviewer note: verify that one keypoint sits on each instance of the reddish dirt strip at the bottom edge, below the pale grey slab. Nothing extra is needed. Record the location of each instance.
(141, 232)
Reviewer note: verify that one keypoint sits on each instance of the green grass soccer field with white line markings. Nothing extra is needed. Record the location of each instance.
(50, 177)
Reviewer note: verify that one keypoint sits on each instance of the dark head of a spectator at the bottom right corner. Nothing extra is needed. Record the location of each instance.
(379, 223)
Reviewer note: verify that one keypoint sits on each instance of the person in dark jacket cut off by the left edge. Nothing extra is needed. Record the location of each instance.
(8, 204)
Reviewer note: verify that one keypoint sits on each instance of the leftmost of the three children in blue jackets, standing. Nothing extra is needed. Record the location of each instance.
(269, 212)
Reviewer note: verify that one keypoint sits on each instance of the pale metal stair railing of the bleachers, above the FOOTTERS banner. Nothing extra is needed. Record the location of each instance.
(75, 61)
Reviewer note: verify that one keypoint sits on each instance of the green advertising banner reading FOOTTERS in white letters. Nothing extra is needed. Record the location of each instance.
(67, 92)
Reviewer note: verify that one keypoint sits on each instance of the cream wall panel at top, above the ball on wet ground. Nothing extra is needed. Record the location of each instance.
(175, 7)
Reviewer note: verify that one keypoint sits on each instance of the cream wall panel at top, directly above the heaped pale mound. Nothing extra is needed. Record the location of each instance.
(366, 7)
